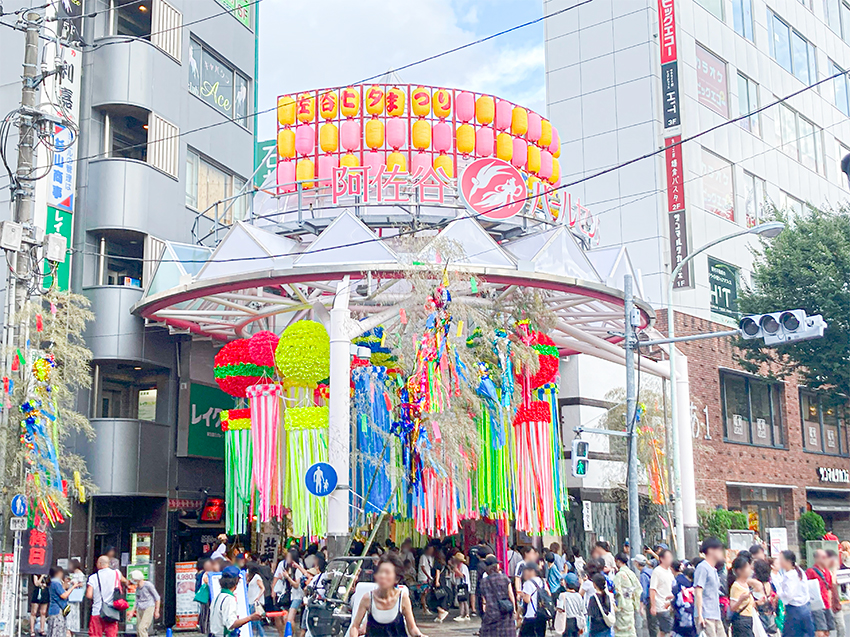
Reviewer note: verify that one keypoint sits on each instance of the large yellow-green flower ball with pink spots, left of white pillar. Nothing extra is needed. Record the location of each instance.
(303, 353)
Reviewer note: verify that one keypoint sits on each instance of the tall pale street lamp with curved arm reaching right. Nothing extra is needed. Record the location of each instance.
(766, 230)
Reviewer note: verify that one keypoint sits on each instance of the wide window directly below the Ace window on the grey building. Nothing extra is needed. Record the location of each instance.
(214, 191)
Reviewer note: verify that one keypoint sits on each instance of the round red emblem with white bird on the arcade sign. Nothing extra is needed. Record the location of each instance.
(493, 189)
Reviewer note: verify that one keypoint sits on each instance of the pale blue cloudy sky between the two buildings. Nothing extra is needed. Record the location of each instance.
(310, 44)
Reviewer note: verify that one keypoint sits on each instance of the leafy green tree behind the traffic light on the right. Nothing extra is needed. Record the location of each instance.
(806, 267)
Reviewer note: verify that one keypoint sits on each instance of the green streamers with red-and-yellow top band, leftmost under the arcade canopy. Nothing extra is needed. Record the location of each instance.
(238, 455)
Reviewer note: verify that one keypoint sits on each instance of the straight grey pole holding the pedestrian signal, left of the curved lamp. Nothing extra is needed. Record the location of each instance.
(635, 541)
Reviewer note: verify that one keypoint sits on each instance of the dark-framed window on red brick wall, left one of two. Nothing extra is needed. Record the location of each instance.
(751, 410)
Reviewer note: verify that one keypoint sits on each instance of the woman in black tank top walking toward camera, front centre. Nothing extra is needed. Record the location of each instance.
(387, 609)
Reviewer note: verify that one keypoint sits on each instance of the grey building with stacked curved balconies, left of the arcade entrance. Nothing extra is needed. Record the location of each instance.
(165, 92)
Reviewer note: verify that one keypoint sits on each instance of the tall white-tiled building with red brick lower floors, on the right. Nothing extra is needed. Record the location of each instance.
(613, 101)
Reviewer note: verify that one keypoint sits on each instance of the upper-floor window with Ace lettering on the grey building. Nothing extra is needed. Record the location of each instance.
(218, 83)
